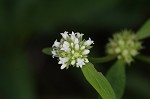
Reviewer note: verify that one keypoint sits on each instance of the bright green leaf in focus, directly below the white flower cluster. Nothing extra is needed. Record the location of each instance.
(98, 81)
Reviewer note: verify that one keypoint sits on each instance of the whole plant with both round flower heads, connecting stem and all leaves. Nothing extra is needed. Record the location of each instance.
(124, 46)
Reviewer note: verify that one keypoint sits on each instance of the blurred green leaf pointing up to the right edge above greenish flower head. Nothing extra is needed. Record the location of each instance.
(144, 31)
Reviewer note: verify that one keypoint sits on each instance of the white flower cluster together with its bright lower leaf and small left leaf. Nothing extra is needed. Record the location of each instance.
(73, 50)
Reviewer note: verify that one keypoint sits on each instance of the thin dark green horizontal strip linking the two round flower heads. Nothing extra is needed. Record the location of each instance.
(102, 59)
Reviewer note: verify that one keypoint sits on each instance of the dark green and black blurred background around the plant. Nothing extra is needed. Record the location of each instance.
(27, 26)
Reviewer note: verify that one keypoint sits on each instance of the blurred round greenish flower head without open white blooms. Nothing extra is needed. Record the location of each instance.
(125, 45)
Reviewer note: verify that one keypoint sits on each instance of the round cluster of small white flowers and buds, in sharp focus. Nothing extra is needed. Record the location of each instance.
(72, 50)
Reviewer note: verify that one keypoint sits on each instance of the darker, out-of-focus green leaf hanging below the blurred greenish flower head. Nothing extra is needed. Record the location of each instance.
(116, 77)
